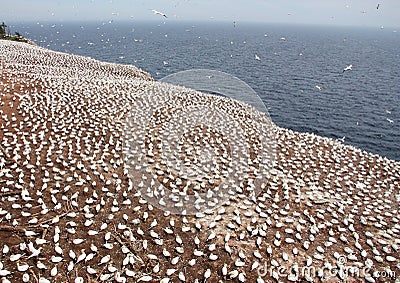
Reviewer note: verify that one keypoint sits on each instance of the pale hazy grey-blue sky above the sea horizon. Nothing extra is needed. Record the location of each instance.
(338, 12)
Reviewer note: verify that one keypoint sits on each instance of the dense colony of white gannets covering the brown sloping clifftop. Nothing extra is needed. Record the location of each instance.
(72, 210)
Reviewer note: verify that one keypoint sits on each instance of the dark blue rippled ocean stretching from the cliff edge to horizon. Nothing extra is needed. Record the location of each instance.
(298, 73)
